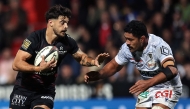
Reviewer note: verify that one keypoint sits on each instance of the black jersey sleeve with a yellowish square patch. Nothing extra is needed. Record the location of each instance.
(29, 43)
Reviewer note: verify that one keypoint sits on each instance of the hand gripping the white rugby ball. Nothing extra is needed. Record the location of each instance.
(45, 66)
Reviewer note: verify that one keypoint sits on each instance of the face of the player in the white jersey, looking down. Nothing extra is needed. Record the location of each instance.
(132, 42)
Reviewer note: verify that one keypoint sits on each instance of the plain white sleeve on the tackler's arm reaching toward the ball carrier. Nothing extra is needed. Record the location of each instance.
(123, 55)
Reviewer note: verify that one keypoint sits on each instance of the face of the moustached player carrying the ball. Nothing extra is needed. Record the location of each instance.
(60, 25)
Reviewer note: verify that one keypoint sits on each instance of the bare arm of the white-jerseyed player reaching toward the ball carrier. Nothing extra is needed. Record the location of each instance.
(108, 70)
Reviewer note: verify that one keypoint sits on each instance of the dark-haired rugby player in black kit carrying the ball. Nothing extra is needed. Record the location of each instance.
(35, 89)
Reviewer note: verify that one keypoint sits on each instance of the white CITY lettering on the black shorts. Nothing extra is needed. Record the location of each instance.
(18, 100)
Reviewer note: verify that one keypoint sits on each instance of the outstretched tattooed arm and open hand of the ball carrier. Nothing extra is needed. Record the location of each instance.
(85, 60)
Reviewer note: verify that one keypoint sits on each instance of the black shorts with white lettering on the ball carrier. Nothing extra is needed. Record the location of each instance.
(21, 98)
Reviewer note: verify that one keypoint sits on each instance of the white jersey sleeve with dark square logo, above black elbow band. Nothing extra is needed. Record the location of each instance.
(163, 51)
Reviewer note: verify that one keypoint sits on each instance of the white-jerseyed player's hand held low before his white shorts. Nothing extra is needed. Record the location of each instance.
(139, 87)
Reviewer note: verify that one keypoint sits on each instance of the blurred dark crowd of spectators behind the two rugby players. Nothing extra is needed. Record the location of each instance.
(97, 26)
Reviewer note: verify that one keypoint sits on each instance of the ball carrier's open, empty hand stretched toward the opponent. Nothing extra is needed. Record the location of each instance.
(100, 58)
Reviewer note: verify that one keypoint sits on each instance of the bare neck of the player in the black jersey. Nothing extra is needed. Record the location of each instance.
(50, 36)
